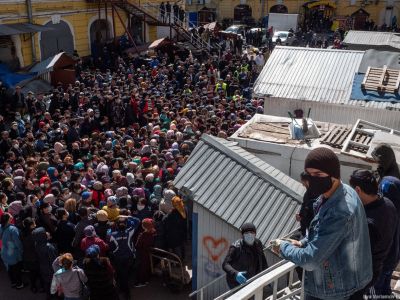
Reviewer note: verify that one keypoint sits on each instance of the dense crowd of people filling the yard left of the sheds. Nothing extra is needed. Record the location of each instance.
(87, 171)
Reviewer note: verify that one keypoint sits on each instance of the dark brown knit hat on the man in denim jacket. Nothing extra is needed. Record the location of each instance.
(325, 160)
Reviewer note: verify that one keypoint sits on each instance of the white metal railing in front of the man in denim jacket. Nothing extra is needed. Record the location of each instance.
(256, 288)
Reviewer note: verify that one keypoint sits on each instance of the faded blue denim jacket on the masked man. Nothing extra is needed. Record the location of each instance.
(336, 254)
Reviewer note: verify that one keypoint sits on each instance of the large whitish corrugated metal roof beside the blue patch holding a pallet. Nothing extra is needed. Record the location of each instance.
(324, 75)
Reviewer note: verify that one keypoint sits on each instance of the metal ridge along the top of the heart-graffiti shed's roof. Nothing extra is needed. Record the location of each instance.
(224, 147)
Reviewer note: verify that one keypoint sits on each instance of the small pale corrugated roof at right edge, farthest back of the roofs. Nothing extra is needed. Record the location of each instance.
(373, 38)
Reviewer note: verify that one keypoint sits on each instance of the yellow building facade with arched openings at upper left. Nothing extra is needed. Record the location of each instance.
(77, 24)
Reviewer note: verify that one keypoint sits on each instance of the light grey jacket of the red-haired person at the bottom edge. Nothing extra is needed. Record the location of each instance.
(70, 281)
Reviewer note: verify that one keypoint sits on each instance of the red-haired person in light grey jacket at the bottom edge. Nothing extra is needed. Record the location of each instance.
(67, 278)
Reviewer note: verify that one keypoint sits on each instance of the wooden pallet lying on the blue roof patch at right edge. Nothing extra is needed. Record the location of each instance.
(381, 80)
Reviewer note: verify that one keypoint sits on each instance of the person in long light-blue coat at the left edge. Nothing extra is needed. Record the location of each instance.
(12, 250)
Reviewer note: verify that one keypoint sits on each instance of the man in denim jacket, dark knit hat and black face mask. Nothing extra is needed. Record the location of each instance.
(336, 254)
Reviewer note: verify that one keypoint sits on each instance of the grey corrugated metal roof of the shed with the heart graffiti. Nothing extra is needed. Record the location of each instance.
(238, 187)
